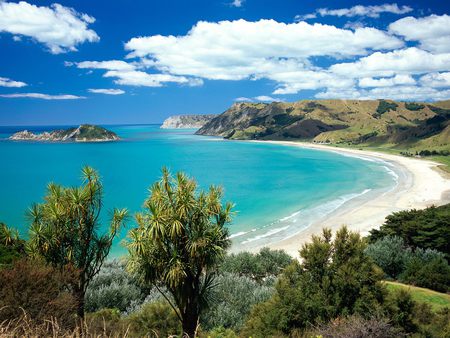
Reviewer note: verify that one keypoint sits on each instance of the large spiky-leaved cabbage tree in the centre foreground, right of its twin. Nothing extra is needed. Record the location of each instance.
(180, 239)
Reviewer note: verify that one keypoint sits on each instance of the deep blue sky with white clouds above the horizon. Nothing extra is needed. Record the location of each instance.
(140, 61)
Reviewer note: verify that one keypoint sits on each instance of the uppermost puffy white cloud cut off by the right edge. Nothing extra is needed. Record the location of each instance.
(433, 32)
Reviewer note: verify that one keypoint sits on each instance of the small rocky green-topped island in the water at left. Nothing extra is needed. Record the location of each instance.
(82, 133)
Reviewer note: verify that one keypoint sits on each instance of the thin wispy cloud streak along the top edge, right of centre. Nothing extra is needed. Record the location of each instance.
(368, 11)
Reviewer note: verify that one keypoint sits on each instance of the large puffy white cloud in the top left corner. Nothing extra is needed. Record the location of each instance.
(59, 28)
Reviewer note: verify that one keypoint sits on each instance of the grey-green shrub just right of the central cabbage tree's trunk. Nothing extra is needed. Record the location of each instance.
(233, 296)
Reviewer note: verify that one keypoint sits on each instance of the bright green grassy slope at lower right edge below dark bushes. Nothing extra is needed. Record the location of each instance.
(436, 299)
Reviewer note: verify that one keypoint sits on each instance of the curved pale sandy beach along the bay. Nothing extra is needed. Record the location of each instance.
(420, 184)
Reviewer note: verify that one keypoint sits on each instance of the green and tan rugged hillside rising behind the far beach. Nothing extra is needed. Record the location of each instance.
(404, 125)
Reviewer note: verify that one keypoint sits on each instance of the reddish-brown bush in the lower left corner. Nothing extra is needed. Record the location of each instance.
(37, 290)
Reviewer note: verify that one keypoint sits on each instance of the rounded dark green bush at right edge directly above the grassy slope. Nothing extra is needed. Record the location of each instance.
(427, 268)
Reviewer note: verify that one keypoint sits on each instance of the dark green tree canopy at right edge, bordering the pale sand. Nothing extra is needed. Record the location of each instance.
(427, 229)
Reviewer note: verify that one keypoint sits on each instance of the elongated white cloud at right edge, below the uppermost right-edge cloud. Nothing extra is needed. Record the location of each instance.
(405, 61)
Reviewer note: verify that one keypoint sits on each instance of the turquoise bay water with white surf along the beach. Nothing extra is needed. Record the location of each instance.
(277, 189)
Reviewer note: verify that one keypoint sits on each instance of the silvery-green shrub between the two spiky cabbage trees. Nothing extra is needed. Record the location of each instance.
(112, 287)
